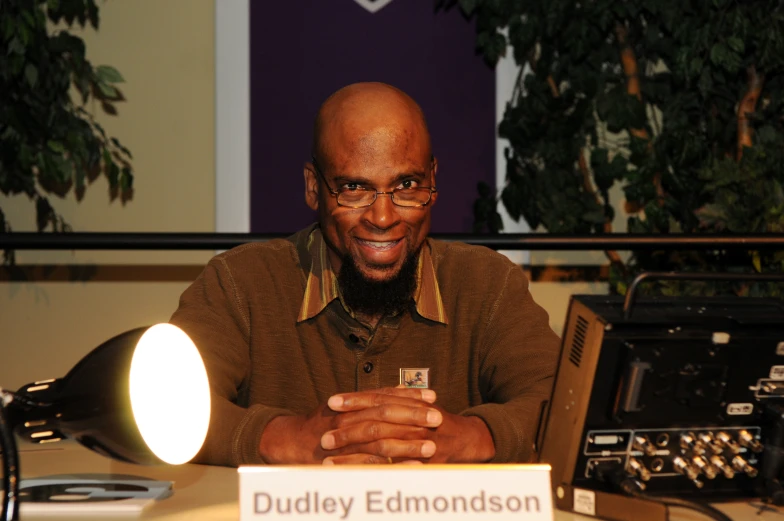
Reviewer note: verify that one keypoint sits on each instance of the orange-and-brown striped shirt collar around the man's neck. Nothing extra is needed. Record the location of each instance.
(322, 284)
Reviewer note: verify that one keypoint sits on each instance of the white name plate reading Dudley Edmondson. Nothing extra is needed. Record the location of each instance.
(429, 492)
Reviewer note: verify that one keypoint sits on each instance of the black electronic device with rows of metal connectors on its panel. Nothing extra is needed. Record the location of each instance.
(682, 397)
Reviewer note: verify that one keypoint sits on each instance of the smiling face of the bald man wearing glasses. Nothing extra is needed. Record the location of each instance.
(380, 237)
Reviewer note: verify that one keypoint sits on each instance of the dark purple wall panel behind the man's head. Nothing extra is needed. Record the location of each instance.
(303, 50)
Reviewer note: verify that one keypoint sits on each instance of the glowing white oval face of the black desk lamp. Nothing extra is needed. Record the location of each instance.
(170, 394)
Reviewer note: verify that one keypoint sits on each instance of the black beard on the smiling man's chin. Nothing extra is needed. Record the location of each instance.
(378, 297)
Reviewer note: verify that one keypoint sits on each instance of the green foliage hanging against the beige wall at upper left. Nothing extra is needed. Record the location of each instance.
(49, 143)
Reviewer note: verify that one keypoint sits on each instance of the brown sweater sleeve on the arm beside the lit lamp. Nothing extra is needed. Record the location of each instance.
(213, 314)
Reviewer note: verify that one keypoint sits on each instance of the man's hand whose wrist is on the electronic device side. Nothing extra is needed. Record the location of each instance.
(455, 438)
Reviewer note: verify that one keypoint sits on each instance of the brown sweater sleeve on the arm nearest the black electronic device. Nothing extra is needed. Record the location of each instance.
(519, 356)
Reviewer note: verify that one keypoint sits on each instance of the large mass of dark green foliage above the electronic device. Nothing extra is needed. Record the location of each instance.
(644, 94)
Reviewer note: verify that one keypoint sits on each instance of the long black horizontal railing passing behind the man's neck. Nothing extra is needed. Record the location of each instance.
(506, 241)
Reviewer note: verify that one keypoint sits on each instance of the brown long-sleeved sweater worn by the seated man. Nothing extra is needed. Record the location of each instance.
(493, 358)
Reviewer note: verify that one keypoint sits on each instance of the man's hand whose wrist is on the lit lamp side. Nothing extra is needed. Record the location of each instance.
(387, 423)
